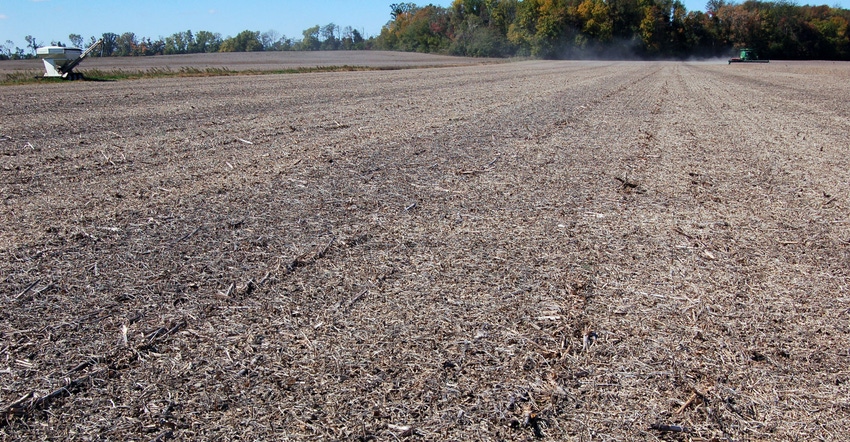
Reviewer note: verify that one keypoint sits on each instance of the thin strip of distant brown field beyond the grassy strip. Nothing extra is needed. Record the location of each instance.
(253, 61)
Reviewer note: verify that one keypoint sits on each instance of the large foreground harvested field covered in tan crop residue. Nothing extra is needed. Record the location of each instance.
(557, 250)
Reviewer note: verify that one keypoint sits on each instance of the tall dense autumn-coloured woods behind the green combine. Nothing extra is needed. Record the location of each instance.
(619, 29)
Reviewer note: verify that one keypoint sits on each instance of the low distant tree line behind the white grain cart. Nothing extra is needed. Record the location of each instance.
(328, 37)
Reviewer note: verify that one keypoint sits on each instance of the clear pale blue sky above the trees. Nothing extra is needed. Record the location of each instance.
(53, 20)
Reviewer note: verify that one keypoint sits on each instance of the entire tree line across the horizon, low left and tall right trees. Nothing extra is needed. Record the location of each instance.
(538, 28)
